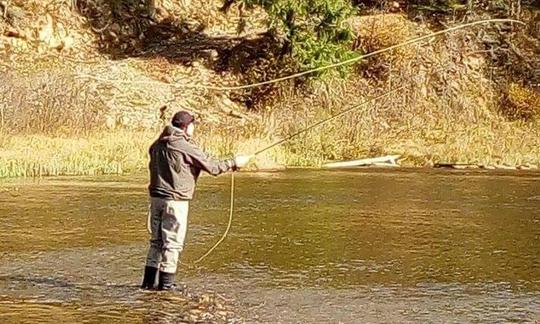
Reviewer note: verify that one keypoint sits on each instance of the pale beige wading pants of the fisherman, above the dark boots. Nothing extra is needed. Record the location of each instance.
(168, 226)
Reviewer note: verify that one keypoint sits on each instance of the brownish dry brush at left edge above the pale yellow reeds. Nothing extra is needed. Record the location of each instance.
(48, 101)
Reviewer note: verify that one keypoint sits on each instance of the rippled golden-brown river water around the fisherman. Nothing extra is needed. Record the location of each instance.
(306, 246)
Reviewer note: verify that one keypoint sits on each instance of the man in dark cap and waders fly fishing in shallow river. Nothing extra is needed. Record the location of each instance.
(175, 165)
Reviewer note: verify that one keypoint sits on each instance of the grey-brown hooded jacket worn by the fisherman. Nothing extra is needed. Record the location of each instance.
(176, 163)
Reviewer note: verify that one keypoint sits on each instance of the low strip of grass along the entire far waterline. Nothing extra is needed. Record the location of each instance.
(125, 152)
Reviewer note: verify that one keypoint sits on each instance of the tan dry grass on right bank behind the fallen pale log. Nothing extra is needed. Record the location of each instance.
(423, 139)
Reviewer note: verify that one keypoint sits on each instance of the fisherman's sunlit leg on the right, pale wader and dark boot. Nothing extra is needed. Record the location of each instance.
(173, 229)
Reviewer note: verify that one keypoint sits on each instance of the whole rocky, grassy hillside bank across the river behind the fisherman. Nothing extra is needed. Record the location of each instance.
(70, 105)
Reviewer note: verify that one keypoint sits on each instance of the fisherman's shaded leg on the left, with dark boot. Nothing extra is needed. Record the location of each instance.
(153, 258)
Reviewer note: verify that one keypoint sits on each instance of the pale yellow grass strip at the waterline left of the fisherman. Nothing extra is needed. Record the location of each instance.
(100, 153)
